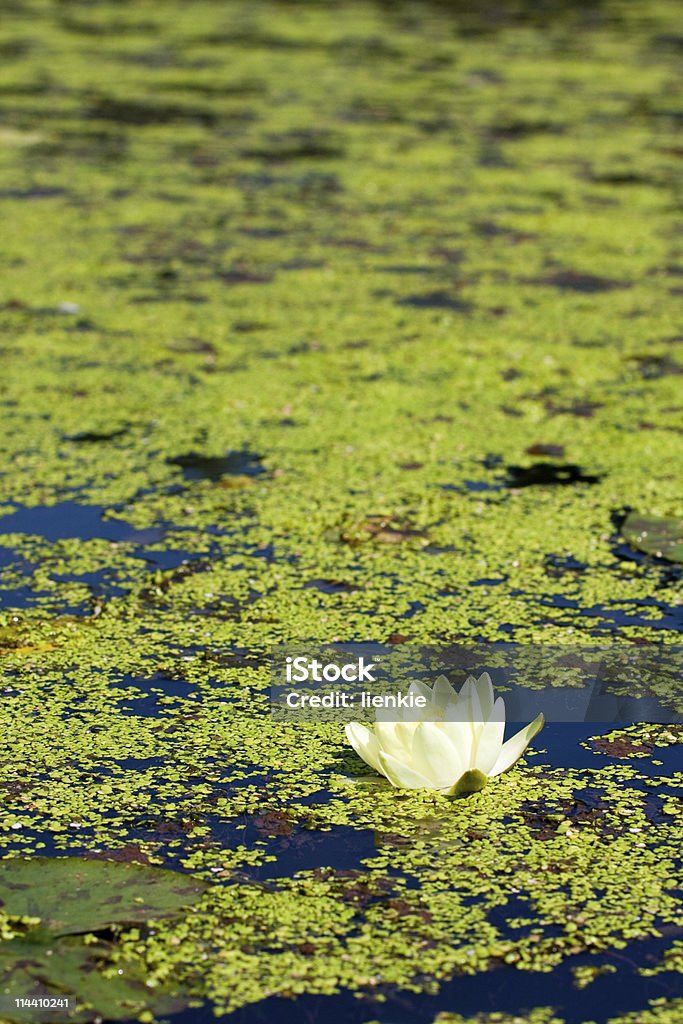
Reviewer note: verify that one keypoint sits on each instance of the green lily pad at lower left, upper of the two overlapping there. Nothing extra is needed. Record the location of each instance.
(72, 895)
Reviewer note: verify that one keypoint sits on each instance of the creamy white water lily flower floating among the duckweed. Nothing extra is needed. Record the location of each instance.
(454, 745)
